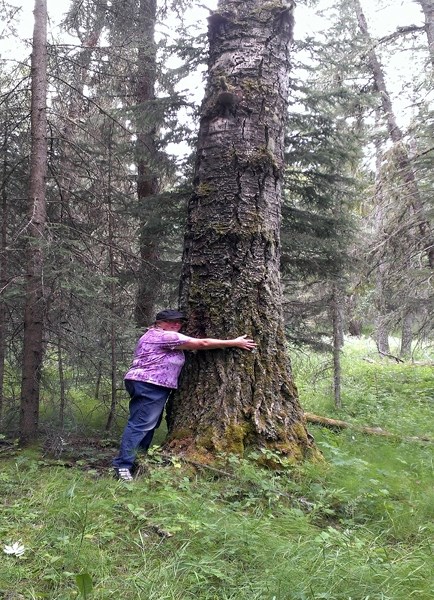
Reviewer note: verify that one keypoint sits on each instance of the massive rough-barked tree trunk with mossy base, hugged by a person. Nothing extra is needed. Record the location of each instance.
(230, 280)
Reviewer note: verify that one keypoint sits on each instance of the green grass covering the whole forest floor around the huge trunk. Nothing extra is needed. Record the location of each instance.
(359, 526)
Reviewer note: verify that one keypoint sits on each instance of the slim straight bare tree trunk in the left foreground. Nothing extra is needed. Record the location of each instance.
(34, 305)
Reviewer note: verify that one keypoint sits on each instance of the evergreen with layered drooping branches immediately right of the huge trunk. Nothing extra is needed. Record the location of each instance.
(321, 189)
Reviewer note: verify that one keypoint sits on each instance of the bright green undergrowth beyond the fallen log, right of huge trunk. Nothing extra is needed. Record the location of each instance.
(376, 392)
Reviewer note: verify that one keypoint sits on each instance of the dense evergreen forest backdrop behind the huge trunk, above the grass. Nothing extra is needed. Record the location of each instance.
(357, 247)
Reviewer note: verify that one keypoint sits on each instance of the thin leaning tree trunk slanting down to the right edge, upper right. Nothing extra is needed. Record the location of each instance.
(396, 135)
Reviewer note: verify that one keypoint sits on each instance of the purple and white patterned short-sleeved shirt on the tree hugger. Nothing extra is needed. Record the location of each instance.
(156, 358)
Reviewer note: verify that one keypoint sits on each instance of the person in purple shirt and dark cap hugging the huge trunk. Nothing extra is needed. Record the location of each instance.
(157, 363)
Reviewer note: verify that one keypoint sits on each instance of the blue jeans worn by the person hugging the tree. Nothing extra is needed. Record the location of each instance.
(146, 411)
